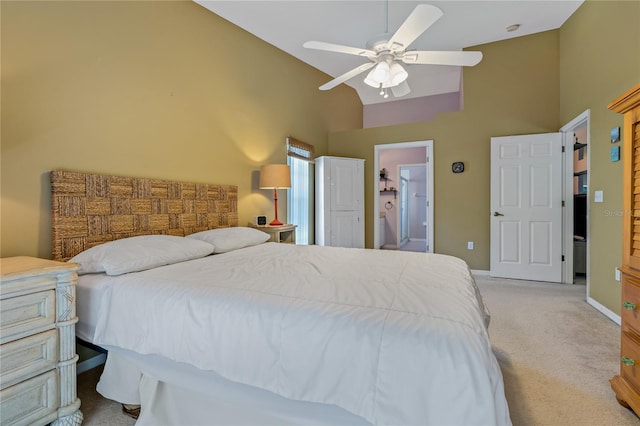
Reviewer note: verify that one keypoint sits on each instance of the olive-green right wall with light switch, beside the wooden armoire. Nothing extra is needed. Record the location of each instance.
(600, 59)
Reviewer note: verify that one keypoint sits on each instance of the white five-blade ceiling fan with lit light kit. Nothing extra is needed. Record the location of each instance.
(385, 54)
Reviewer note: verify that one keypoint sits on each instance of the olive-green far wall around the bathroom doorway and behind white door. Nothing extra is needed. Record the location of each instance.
(514, 90)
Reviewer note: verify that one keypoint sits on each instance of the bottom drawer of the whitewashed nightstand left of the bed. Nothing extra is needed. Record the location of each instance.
(32, 402)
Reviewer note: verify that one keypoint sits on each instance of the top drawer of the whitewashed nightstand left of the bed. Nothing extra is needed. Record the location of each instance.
(25, 315)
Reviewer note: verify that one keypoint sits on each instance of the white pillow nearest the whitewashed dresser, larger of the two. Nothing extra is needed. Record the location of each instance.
(139, 253)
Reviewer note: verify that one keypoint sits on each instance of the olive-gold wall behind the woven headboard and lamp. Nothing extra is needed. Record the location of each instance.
(160, 89)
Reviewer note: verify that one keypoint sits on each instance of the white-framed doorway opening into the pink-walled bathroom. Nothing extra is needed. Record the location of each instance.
(394, 197)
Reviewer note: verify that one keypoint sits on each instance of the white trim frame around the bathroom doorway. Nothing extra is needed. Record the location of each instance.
(428, 144)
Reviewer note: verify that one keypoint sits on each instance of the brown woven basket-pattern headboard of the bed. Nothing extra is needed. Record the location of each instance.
(91, 209)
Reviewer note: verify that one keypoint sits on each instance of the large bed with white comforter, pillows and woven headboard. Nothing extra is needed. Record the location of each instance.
(255, 332)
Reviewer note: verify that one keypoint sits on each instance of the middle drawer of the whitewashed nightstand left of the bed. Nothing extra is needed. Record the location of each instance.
(28, 357)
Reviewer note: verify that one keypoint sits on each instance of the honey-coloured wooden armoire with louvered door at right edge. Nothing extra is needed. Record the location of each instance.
(626, 384)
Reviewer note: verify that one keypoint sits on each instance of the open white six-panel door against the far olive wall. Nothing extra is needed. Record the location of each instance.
(526, 207)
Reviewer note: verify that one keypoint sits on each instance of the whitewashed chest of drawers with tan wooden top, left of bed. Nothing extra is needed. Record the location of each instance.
(37, 342)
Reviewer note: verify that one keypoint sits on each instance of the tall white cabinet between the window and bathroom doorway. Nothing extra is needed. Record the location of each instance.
(339, 202)
